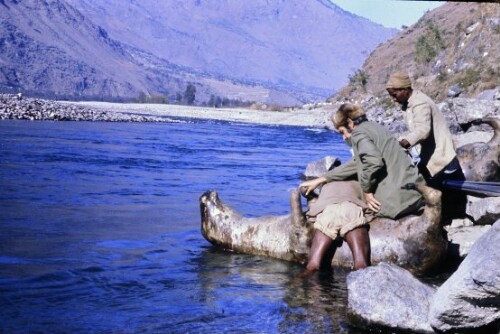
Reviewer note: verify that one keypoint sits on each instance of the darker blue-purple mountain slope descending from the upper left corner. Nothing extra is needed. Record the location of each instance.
(49, 48)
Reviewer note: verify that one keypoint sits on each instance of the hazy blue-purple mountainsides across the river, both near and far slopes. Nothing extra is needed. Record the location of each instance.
(270, 51)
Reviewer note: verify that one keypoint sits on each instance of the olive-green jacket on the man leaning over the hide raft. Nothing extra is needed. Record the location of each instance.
(382, 167)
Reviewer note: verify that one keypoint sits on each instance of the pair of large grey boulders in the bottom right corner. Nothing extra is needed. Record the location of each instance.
(391, 298)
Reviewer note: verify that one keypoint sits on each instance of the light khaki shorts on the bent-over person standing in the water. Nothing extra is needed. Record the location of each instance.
(340, 218)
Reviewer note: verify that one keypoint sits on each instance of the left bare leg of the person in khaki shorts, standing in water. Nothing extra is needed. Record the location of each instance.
(321, 252)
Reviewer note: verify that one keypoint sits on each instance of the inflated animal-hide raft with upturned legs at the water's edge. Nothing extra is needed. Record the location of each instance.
(413, 242)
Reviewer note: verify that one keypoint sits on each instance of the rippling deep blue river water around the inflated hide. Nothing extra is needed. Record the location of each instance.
(100, 229)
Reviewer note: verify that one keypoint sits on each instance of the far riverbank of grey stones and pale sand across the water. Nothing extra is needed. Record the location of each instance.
(13, 106)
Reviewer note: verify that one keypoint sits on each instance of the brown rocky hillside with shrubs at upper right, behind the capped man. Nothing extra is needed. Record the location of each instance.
(452, 50)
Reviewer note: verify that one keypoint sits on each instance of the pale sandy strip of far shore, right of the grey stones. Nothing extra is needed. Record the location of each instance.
(301, 117)
